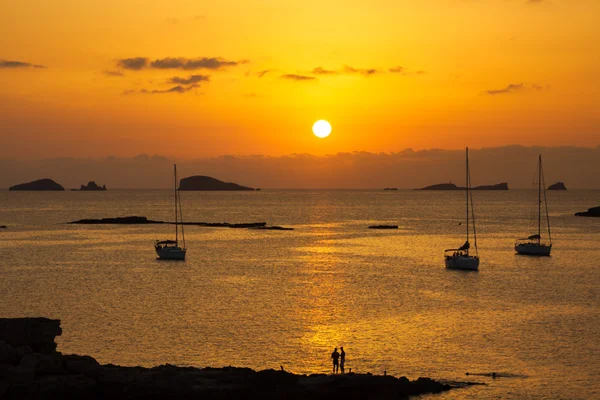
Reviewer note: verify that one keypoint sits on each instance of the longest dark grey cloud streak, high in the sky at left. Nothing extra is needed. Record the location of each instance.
(212, 63)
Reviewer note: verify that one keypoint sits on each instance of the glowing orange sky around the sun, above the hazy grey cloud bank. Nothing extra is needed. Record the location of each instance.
(394, 74)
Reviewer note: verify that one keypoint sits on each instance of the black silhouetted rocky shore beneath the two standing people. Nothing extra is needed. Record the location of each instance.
(31, 368)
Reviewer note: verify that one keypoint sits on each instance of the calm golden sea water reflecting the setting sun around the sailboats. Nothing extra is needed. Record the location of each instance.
(262, 299)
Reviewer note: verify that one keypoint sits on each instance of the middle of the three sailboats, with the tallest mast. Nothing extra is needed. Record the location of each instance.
(460, 258)
